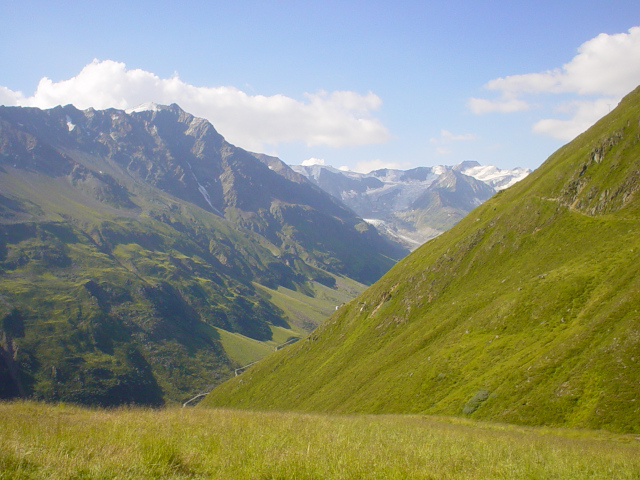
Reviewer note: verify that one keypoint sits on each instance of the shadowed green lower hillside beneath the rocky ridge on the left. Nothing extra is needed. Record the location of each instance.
(145, 305)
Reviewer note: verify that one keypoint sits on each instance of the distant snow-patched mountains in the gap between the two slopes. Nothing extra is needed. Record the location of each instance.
(413, 206)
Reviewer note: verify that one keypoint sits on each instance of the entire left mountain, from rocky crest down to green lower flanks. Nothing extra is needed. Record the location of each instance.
(143, 257)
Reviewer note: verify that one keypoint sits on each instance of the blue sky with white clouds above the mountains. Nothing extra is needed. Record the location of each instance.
(354, 84)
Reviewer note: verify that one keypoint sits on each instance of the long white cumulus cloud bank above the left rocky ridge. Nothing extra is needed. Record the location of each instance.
(339, 118)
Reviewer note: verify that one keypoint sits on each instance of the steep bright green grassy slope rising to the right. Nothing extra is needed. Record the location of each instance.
(525, 312)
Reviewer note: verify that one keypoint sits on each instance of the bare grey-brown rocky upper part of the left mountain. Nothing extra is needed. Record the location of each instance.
(184, 156)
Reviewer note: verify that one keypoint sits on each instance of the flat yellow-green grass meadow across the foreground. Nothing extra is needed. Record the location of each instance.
(66, 442)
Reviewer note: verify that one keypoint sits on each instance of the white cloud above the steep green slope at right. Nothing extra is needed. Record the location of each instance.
(606, 67)
